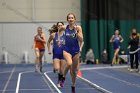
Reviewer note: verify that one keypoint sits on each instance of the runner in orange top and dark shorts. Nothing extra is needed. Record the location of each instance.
(39, 46)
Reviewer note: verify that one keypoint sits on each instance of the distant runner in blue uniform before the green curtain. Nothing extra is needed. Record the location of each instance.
(116, 39)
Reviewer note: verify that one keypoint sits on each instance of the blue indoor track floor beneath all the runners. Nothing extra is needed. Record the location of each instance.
(111, 79)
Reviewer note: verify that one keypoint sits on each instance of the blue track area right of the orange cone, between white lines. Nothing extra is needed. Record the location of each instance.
(114, 80)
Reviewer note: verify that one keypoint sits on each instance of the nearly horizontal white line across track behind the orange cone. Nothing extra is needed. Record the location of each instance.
(90, 68)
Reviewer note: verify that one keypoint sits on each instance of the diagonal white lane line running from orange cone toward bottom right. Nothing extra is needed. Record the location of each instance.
(94, 85)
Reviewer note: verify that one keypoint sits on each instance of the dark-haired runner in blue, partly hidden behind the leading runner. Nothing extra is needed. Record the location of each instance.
(58, 59)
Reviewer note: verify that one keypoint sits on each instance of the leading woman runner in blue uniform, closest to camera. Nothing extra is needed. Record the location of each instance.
(71, 49)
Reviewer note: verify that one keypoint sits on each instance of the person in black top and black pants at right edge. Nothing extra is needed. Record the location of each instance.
(133, 46)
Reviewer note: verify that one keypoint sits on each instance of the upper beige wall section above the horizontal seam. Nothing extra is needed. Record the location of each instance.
(37, 10)
